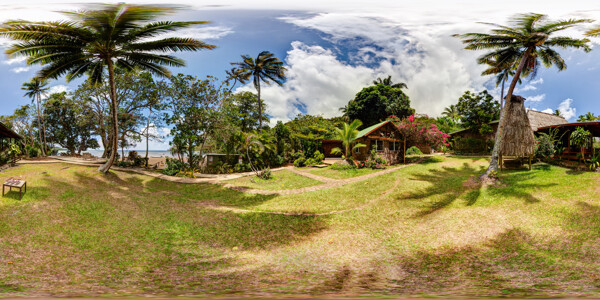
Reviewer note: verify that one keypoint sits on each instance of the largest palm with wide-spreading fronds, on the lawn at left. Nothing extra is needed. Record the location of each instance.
(95, 41)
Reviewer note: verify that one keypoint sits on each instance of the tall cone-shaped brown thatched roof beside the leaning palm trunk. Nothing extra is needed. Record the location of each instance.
(518, 137)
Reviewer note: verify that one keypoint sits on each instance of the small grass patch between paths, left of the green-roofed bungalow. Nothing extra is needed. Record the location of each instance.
(281, 180)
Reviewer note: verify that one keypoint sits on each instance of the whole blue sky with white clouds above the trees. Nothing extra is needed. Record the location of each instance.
(332, 49)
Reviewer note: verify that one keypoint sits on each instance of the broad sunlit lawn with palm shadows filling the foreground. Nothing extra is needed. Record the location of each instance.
(422, 230)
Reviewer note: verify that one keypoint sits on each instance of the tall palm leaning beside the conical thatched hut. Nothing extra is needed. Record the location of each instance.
(530, 39)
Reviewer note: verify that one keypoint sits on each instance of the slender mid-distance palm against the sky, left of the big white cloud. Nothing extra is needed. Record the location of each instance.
(265, 68)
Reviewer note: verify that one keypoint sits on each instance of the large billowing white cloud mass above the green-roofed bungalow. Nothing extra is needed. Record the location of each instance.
(433, 65)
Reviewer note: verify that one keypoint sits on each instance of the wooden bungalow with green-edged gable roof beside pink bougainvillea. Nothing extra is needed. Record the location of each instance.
(383, 137)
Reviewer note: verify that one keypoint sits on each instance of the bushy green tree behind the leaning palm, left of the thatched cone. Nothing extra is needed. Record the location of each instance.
(477, 110)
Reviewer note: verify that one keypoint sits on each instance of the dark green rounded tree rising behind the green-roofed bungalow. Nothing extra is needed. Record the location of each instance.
(375, 103)
